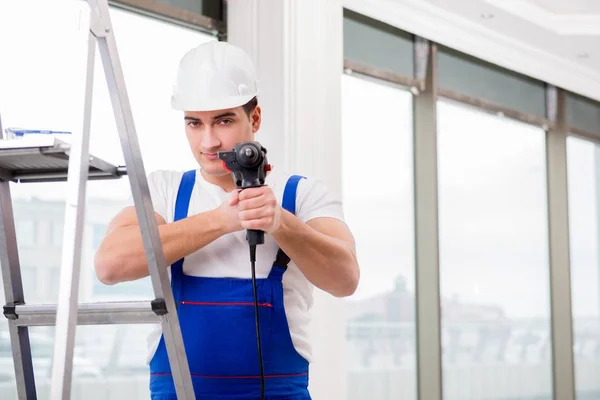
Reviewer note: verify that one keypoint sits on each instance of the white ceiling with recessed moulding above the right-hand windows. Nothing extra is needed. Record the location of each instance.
(557, 41)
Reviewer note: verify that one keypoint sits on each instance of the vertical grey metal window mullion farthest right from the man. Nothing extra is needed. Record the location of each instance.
(560, 270)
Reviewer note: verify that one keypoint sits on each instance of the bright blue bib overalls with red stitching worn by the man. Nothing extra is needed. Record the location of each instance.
(217, 321)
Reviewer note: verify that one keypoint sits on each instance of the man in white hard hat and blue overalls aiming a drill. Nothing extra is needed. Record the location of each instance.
(202, 220)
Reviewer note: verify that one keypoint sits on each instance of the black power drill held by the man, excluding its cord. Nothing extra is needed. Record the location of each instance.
(248, 165)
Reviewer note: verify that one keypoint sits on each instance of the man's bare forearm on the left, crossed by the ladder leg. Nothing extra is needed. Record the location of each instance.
(121, 257)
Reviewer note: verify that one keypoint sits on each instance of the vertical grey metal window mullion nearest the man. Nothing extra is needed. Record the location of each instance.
(427, 274)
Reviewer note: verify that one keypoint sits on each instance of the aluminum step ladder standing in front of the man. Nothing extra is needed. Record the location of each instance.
(47, 159)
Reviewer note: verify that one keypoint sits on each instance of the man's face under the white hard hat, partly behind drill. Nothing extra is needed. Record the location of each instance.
(209, 132)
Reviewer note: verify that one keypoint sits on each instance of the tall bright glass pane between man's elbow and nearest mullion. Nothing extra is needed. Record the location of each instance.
(380, 330)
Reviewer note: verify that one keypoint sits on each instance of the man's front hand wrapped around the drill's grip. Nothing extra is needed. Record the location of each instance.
(258, 209)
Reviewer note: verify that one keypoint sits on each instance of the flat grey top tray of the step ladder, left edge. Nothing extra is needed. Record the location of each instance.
(46, 159)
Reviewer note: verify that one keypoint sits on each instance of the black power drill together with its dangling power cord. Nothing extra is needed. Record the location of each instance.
(248, 165)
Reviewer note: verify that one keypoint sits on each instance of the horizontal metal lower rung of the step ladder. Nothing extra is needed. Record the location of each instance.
(122, 312)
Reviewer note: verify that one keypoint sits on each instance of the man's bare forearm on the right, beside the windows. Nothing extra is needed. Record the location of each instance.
(328, 263)
